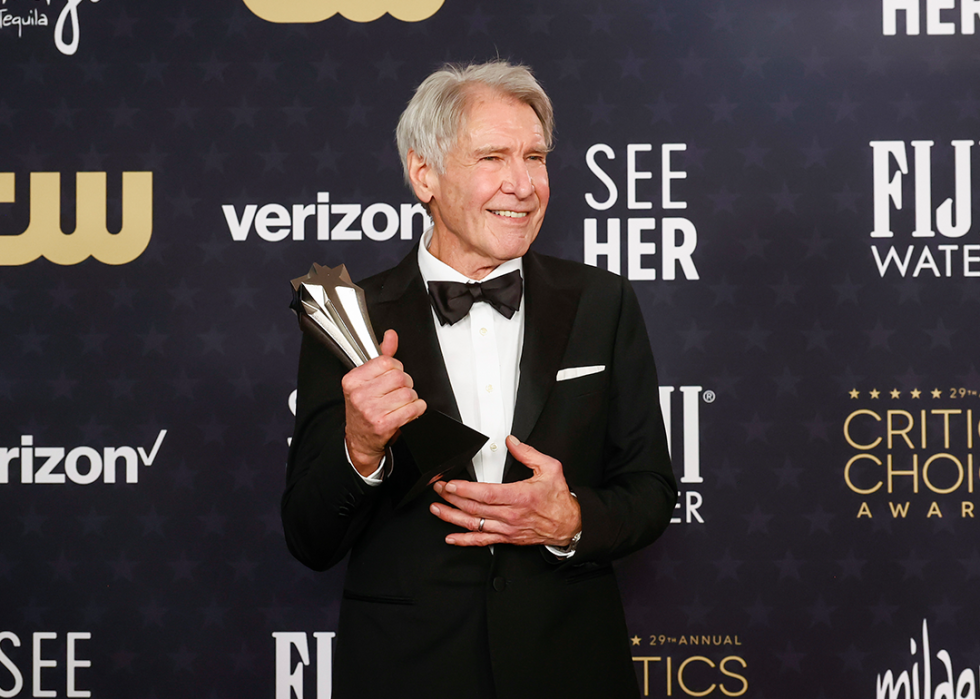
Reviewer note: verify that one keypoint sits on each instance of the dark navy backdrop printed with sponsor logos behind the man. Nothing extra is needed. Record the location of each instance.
(788, 185)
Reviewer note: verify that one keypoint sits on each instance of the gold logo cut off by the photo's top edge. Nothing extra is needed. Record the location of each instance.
(306, 11)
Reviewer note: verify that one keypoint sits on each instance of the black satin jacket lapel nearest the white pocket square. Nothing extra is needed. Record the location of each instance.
(549, 313)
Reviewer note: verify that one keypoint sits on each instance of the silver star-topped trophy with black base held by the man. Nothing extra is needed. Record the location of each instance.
(332, 310)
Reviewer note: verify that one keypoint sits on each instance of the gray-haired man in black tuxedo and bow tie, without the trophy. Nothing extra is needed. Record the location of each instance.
(500, 586)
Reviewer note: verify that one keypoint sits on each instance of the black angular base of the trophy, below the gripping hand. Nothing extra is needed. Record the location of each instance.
(442, 449)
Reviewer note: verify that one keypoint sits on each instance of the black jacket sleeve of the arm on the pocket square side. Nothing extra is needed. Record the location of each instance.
(635, 500)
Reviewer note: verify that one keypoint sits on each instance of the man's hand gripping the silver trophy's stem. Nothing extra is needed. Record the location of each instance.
(379, 399)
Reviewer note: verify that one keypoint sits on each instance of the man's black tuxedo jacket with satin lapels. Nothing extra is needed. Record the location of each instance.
(423, 618)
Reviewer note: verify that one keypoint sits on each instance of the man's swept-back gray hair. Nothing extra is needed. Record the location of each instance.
(430, 123)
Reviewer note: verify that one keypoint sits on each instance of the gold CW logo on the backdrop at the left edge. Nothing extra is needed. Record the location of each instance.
(44, 237)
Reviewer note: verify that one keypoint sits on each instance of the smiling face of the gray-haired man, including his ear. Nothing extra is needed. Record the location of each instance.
(488, 205)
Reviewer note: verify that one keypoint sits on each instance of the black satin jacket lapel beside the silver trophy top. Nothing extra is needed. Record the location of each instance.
(403, 304)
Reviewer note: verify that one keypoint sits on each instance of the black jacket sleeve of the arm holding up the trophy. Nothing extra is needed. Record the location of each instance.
(326, 503)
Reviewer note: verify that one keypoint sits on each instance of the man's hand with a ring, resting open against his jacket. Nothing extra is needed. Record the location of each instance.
(539, 510)
